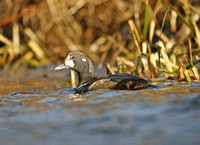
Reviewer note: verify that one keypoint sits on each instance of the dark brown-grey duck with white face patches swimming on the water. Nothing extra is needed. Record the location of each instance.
(81, 64)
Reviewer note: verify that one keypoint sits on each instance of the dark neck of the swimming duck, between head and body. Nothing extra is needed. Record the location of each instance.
(86, 78)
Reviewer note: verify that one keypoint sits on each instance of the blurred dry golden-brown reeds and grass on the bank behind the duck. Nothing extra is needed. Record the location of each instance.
(149, 38)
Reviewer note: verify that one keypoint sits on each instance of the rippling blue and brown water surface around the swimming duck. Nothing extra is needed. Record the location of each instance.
(36, 107)
